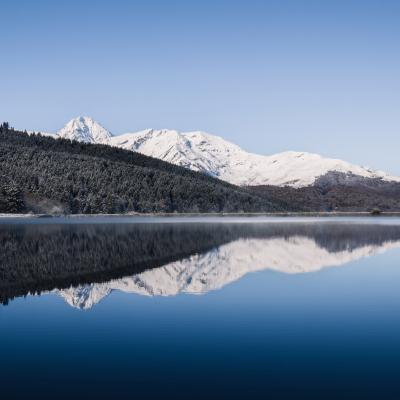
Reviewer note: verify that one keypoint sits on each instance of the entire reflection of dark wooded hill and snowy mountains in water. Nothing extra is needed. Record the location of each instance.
(85, 262)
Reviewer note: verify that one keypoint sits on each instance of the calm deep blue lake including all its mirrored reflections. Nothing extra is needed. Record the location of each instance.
(200, 308)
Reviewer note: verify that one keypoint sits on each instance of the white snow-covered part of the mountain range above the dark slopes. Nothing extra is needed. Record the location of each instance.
(217, 157)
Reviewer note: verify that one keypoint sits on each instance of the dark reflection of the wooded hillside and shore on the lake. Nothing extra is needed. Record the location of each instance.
(39, 256)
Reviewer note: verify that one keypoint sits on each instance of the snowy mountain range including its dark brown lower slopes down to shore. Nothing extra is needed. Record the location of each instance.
(292, 181)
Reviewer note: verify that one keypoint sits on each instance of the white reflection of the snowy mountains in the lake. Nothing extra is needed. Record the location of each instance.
(213, 270)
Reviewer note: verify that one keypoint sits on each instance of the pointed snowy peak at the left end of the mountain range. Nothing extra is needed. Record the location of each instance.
(85, 129)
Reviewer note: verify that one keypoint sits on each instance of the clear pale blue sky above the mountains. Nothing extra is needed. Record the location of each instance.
(319, 76)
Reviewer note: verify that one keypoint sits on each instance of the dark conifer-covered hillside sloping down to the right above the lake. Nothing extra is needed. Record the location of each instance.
(46, 175)
